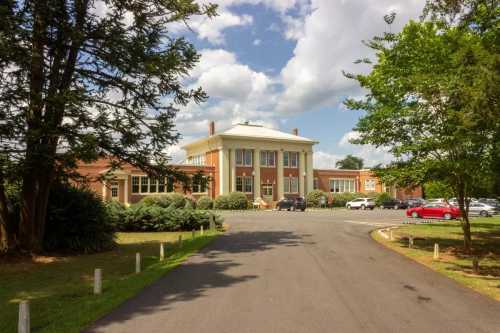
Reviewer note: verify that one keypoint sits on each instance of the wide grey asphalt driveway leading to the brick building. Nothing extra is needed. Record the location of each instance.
(303, 272)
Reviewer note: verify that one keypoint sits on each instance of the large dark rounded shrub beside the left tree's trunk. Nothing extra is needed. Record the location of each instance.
(77, 221)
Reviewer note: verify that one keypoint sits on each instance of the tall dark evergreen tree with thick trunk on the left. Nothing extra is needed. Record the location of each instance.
(77, 84)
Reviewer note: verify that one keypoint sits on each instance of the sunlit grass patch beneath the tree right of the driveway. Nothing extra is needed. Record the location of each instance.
(453, 263)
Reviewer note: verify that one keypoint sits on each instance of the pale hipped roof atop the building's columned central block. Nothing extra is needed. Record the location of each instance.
(249, 131)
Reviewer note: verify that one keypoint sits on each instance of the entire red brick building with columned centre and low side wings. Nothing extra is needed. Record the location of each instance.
(258, 161)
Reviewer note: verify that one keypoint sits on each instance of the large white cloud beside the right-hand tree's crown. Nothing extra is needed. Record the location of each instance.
(328, 42)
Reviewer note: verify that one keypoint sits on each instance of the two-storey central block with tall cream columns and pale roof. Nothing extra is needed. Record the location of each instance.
(258, 161)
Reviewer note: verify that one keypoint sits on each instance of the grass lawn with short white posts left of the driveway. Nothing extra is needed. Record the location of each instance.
(60, 289)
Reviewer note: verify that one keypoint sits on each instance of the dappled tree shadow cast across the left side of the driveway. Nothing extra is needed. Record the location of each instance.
(194, 278)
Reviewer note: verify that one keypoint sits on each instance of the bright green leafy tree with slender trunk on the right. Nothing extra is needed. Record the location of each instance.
(433, 99)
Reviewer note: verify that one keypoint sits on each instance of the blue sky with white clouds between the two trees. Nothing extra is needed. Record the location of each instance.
(279, 63)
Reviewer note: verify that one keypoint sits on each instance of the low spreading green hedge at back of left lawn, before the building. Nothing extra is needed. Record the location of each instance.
(154, 218)
